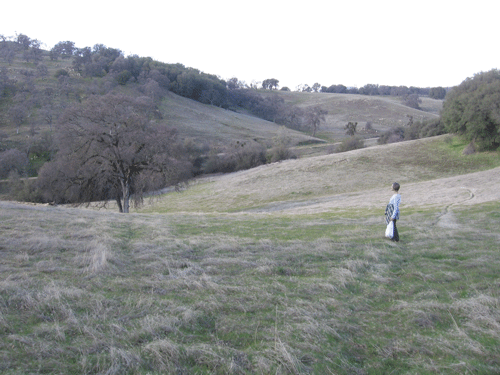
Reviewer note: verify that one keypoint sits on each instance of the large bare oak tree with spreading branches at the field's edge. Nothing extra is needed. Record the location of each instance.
(112, 147)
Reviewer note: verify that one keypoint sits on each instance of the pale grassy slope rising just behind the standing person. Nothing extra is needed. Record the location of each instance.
(357, 178)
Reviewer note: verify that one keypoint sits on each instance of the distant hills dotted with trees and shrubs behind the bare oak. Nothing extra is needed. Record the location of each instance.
(212, 116)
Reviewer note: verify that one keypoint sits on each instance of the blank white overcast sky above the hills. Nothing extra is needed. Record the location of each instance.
(412, 43)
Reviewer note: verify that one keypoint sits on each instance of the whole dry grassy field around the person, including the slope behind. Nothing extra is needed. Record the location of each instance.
(299, 282)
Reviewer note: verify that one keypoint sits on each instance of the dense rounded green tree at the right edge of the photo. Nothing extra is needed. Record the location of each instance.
(472, 109)
